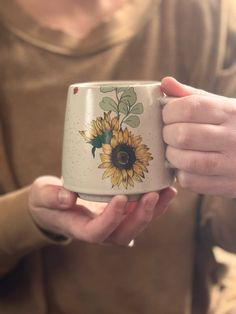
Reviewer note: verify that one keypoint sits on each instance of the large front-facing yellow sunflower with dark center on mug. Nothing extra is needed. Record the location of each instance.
(125, 159)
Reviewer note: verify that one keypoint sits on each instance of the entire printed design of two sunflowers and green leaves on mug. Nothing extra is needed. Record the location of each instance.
(124, 158)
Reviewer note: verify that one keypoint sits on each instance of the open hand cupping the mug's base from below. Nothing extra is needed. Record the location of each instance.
(57, 210)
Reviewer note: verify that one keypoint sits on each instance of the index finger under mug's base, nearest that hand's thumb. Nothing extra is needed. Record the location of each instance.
(100, 228)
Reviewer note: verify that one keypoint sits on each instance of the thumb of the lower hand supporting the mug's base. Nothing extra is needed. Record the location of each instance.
(51, 196)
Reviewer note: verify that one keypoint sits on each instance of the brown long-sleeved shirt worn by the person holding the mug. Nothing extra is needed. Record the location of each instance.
(194, 41)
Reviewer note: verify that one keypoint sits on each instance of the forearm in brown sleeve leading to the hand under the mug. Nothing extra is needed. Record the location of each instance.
(18, 233)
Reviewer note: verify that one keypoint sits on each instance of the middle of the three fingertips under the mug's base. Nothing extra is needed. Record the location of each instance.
(137, 220)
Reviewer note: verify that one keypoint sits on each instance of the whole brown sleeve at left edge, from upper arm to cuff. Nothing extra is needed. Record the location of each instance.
(19, 235)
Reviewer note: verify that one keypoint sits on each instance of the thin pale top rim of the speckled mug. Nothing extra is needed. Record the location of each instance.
(119, 83)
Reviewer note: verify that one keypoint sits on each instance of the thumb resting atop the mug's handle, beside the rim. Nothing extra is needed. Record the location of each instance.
(173, 88)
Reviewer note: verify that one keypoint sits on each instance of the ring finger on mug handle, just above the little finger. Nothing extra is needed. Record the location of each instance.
(202, 163)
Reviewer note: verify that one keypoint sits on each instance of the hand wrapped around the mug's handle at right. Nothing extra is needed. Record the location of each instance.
(200, 130)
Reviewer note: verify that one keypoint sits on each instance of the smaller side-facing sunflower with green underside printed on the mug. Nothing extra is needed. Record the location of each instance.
(100, 131)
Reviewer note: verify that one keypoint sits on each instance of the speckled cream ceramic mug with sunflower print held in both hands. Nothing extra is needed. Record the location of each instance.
(113, 140)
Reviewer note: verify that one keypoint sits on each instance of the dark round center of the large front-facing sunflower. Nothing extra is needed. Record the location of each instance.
(123, 156)
